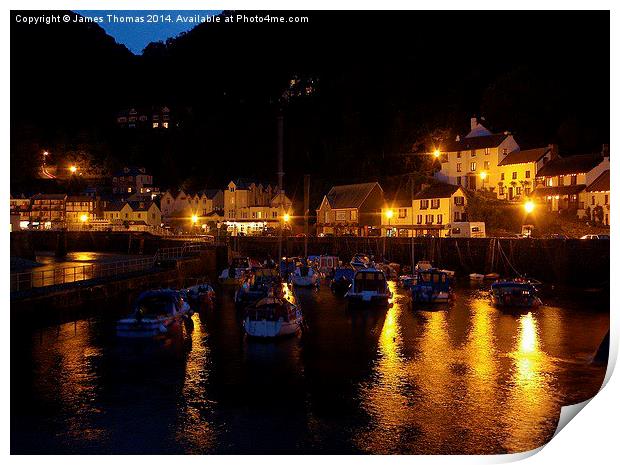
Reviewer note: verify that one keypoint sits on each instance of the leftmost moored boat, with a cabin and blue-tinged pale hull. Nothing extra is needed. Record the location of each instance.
(154, 313)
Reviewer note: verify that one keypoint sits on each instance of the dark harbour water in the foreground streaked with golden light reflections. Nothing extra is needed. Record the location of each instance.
(471, 379)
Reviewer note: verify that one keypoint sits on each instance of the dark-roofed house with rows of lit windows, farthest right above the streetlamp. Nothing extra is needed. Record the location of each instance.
(560, 183)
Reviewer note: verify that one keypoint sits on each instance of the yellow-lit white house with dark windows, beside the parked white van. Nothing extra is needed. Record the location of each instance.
(433, 211)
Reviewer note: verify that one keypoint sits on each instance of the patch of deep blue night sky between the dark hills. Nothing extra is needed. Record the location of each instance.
(136, 36)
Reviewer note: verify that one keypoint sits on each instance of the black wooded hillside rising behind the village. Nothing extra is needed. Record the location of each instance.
(380, 84)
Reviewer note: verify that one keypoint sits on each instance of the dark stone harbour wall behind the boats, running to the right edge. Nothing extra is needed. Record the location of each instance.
(576, 262)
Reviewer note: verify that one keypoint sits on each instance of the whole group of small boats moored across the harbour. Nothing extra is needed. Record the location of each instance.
(264, 293)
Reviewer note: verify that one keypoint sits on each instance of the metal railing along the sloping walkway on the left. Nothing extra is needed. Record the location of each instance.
(71, 274)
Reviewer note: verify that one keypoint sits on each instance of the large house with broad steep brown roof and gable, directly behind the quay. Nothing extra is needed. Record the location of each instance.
(352, 209)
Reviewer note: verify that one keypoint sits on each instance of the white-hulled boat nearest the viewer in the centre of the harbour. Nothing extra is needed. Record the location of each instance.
(272, 317)
